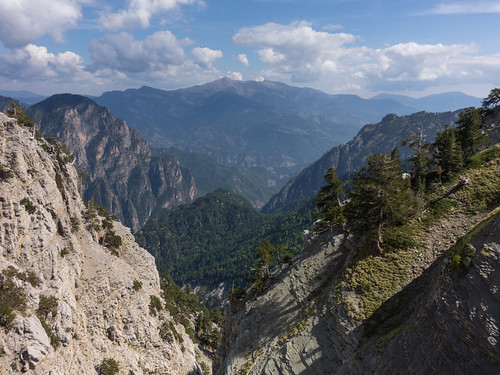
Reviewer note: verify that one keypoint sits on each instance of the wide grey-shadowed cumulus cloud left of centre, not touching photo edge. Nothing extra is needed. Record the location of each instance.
(121, 52)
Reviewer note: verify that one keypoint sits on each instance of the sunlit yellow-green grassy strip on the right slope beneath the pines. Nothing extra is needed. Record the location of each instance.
(371, 280)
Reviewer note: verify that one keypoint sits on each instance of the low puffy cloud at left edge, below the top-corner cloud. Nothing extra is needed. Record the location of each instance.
(36, 63)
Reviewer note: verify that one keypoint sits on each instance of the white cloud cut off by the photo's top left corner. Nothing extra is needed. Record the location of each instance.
(24, 21)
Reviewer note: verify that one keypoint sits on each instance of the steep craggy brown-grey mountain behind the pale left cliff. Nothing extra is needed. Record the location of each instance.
(119, 170)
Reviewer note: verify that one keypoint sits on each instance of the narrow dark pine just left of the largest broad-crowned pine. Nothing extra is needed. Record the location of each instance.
(328, 199)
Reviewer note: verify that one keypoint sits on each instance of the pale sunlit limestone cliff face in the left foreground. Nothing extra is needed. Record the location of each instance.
(69, 306)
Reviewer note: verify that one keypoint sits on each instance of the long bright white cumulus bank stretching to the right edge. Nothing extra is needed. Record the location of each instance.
(298, 53)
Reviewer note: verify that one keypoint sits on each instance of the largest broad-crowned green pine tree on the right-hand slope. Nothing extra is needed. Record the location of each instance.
(380, 197)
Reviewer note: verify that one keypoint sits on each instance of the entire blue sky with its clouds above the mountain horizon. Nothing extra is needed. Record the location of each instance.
(337, 46)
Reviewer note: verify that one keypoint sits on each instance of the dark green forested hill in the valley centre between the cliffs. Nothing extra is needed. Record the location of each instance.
(213, 240)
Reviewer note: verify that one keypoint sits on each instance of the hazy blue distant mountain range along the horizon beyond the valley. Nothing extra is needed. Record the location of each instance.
(249, 137)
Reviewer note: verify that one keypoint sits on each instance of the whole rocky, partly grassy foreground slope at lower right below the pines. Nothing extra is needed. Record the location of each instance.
(427, 308)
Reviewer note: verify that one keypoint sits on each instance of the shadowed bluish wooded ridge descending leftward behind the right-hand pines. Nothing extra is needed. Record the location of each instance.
(371, 139)
